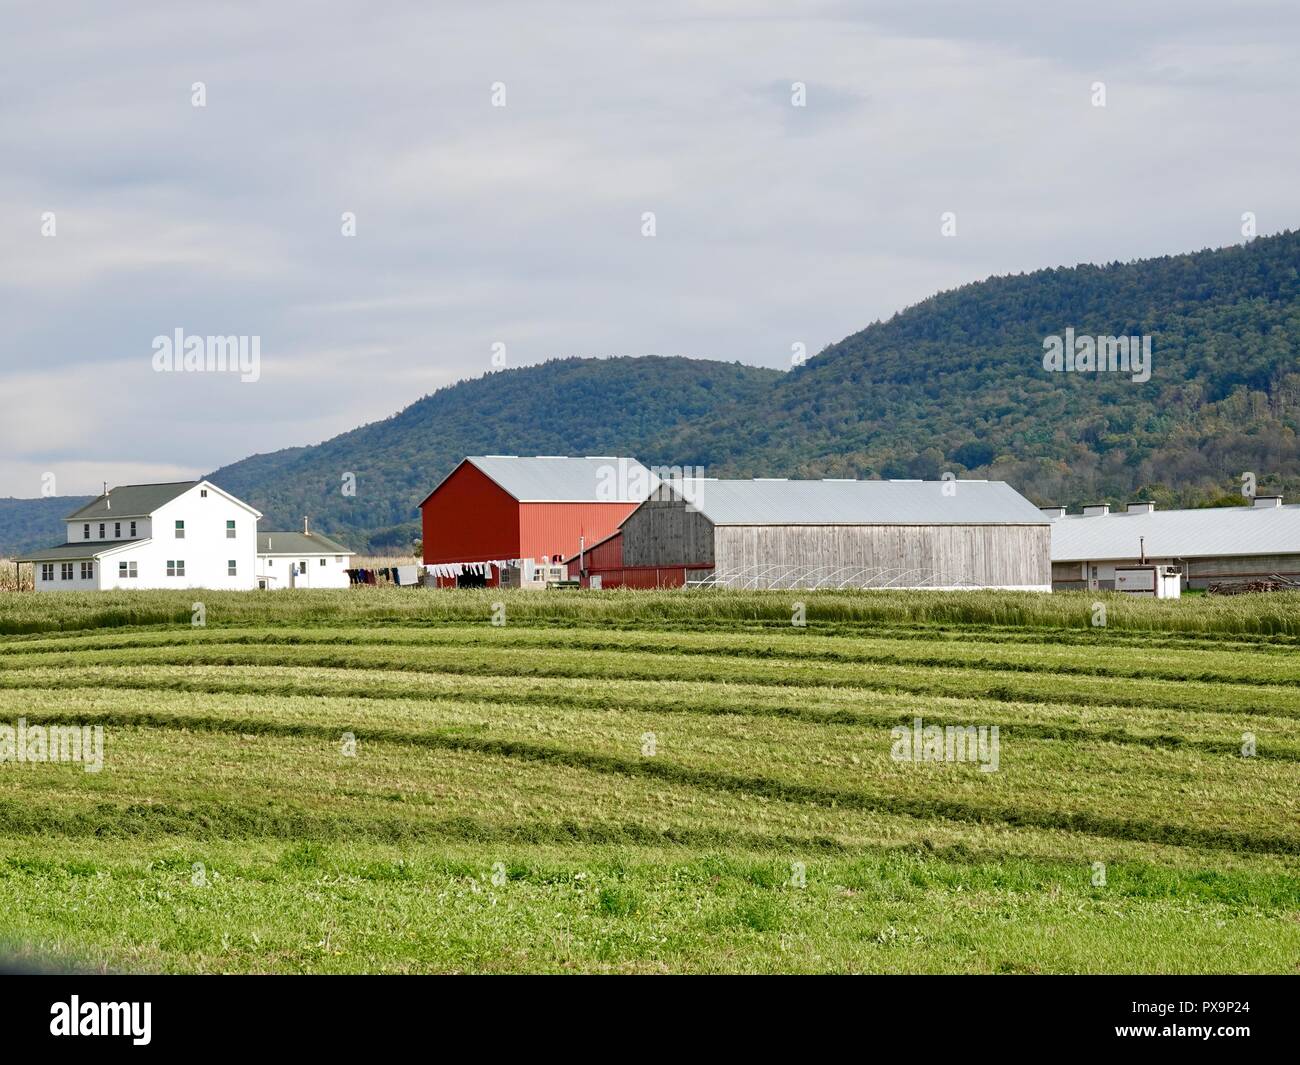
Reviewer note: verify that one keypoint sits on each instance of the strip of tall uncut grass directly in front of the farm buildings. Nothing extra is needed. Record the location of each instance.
(1273, 614)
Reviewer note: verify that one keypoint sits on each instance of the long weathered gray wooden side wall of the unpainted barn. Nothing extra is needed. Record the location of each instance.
(982, 555)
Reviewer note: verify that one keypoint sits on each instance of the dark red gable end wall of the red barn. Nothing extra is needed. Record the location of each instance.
(470, 518)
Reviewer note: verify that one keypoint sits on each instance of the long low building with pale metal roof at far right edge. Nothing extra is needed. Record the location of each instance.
(1211, 546)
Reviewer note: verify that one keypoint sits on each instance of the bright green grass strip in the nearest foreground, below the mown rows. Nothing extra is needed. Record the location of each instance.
(274, 907)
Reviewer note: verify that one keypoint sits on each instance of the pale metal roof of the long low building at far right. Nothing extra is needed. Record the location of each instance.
(1178, 534)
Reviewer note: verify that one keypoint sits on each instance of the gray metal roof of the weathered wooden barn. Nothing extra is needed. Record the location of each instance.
(844, 503)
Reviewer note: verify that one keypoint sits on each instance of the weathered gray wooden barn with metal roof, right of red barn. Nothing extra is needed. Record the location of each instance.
(846, 534)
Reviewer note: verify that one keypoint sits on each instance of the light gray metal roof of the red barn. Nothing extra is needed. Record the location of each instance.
(544, 479)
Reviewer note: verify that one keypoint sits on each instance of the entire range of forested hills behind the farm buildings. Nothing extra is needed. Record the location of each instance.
(955, 383)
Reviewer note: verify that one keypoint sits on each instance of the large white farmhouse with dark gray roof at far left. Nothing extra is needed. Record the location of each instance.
(181, 535)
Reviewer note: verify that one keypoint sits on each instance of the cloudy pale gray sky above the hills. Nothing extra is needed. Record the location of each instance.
(193, 166)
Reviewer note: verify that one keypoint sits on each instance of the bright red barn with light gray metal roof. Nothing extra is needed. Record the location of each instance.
(497, 513)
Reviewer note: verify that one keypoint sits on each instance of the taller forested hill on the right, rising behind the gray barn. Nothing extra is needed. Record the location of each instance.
(957, 383)
